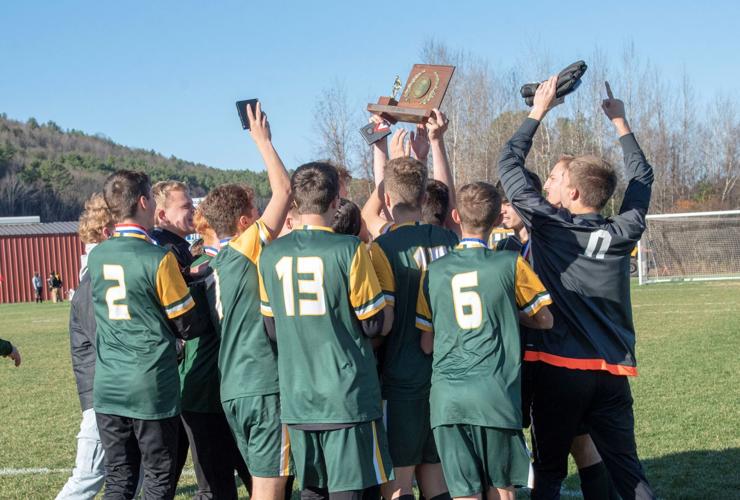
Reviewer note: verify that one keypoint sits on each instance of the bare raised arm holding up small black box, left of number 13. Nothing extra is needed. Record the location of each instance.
(279, 204)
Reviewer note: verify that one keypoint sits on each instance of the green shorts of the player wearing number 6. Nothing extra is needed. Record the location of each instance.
(475, 458)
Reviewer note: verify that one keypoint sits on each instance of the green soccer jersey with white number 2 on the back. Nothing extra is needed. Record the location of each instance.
(136, 287)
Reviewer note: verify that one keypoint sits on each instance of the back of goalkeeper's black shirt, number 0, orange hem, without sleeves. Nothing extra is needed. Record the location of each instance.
(583, 260)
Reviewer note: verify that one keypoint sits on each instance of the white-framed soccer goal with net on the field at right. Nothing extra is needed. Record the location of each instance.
(690, 247)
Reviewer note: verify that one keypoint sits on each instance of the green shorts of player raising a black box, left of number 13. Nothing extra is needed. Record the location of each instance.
(262, 440)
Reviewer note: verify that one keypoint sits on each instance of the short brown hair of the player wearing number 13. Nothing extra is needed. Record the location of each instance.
(315, 186)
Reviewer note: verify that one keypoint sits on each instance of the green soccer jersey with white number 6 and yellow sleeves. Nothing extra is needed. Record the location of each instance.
(475, 295)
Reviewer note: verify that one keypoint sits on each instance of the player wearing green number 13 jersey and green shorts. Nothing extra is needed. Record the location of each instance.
(322, 303)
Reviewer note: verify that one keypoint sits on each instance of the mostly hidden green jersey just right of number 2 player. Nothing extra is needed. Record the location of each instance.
(199, 368)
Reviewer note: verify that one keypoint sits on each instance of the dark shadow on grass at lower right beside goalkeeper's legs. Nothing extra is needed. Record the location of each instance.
(692, 474)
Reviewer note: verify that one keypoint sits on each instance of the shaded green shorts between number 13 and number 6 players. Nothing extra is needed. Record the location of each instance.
(409, 432)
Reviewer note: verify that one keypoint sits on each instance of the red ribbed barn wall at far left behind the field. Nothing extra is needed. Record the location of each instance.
(21, 256)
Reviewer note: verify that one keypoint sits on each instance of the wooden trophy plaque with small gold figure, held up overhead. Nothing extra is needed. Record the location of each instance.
(425, 89)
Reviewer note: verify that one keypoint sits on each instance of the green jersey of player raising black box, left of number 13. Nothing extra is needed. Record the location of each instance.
(247, 360)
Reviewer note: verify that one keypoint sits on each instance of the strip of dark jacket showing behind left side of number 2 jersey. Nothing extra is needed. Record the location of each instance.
(82, 340)
